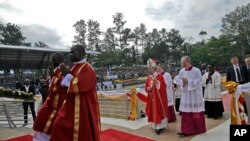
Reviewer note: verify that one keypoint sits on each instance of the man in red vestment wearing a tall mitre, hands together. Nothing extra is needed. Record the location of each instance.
(156, 108)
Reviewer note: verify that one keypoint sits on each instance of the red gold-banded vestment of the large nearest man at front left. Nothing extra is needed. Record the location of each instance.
(79, 117)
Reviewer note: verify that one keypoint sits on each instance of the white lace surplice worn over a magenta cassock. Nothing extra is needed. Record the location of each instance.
(191, 94)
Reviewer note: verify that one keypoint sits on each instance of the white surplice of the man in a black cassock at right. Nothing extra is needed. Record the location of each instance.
(212, 90)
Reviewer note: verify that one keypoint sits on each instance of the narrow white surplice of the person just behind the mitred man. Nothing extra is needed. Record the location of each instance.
(169, 82)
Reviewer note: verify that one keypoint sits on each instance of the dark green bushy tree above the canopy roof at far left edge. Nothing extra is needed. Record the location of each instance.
(11, 34)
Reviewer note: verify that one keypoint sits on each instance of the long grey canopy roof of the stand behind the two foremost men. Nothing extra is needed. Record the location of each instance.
(22, 57)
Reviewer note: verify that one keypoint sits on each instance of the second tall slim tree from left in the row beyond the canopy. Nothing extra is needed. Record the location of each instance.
(93, 35)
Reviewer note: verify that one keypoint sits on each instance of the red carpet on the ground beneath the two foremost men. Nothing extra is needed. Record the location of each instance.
(107, 135)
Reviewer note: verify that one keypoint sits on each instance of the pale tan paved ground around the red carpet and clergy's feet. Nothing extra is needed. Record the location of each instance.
(217, 129)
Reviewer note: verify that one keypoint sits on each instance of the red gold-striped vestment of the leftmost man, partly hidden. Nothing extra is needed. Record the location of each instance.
(48, 112)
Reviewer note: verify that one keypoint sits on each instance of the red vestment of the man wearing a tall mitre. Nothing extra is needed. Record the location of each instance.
(157, 104)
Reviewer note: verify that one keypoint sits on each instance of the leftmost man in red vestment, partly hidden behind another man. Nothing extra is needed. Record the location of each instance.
(48, 112)
